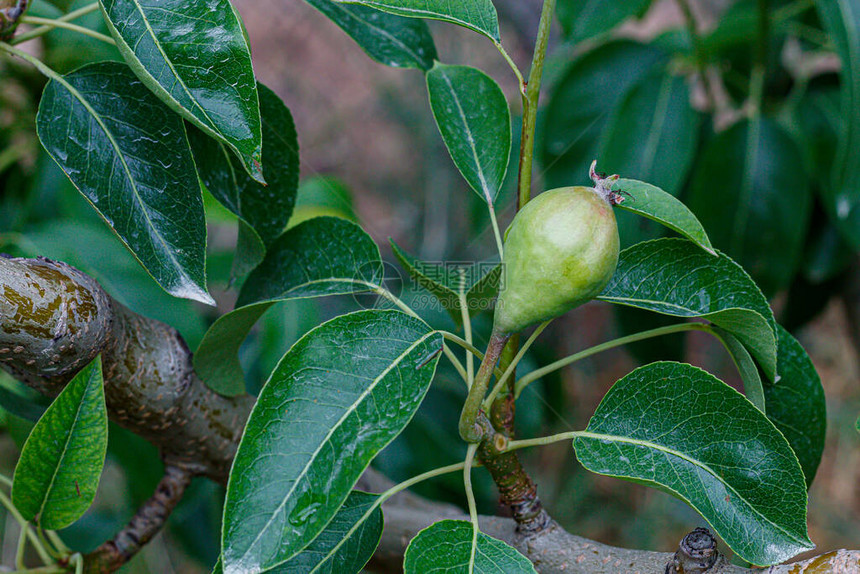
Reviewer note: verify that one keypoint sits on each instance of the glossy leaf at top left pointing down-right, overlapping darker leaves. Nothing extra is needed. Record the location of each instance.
(194, 56)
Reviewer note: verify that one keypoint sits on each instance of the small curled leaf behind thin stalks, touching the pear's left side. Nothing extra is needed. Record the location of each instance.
(479, 281)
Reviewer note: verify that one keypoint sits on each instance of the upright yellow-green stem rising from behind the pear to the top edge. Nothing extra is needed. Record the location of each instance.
(530, 104)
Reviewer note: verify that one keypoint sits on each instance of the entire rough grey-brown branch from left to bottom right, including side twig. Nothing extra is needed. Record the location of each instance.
(55, 319)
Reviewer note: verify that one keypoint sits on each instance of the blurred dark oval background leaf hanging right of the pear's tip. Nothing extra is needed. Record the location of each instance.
(751, 193)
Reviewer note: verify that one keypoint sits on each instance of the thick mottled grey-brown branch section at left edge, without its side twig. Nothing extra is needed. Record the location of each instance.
(56, 319)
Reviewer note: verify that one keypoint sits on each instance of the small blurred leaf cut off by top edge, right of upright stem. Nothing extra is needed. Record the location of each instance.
(584, 19)
